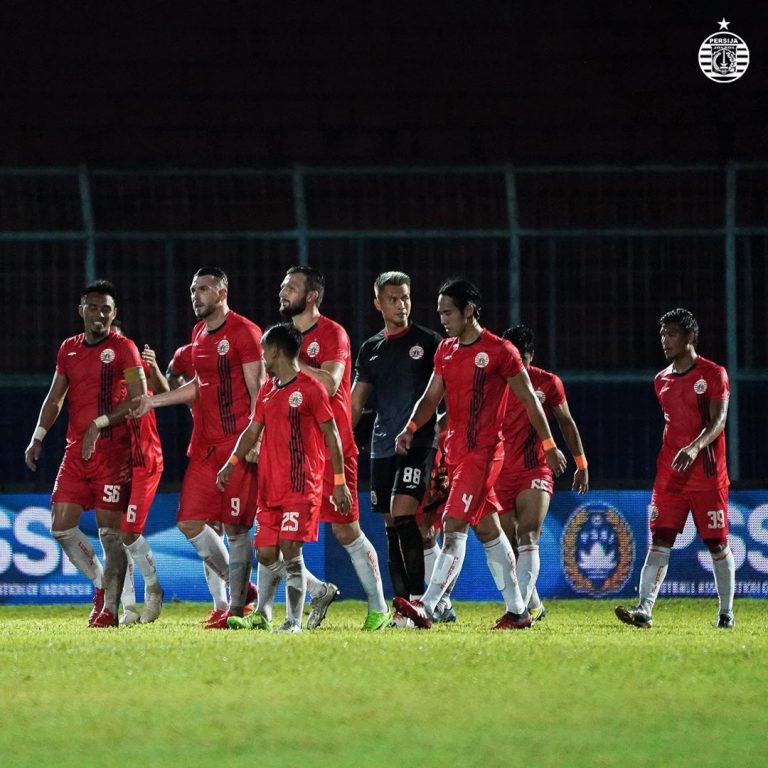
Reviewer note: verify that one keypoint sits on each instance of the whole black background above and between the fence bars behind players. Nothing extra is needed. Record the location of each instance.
(133, 85)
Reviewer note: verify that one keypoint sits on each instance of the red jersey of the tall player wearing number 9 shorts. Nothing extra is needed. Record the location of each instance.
(223, 405)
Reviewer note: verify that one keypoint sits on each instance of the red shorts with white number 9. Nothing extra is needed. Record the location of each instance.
(200, 499)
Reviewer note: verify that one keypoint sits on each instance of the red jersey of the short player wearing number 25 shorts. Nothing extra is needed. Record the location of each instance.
(292, 457)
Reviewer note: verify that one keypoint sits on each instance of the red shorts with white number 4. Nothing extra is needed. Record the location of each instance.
(472, 497)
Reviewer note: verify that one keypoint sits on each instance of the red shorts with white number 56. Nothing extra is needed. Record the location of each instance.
(103, 482)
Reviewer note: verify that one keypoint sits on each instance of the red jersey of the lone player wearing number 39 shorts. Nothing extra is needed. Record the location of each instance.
(684, 398)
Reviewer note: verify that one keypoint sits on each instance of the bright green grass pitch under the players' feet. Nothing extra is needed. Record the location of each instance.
(579, 689)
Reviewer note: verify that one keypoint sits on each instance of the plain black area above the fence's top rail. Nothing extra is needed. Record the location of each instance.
(139, 84)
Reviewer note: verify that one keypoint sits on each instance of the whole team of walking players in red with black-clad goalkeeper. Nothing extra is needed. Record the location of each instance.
(461, 439)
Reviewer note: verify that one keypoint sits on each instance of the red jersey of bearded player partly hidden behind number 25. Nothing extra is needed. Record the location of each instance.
(326, 341)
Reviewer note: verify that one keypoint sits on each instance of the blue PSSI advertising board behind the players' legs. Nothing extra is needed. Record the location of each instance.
(590, 547)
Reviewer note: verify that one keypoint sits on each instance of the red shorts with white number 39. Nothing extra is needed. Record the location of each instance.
(669, 511)
